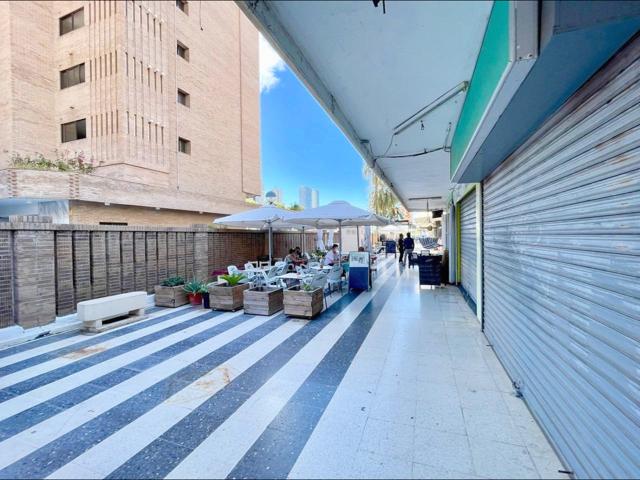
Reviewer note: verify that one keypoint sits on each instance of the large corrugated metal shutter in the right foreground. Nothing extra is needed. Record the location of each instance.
(562, 273)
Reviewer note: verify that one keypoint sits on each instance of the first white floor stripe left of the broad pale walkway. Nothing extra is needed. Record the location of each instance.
(232, 440)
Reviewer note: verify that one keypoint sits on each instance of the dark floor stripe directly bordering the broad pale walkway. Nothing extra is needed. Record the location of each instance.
(275, 452)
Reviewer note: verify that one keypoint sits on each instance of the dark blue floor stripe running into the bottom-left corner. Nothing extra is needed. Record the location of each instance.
(46, 460)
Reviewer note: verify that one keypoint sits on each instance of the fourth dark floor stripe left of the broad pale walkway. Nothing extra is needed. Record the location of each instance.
(27, 418)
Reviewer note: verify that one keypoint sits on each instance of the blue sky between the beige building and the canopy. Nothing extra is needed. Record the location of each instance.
(300, 145)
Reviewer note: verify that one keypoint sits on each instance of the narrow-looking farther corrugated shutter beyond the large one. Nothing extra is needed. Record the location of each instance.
(468, 246)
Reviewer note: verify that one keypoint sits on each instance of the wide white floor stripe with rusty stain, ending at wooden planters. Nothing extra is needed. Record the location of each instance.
(115, 450)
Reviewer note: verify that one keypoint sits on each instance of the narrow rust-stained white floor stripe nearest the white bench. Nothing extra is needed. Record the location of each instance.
(69, 358)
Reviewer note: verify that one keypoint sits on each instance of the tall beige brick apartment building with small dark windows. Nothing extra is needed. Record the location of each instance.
(162, 97)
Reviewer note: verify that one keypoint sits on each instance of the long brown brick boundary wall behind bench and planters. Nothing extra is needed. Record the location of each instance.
(46, 269)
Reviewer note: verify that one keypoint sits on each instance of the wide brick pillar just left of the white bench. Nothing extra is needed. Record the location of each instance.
(34, 277)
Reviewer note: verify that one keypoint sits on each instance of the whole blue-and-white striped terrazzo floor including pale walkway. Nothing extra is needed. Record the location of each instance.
(191, 393)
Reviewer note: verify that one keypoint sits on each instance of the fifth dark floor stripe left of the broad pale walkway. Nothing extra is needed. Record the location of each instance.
(45, 378)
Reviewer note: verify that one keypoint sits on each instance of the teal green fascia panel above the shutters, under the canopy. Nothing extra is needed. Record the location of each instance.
(491, 63)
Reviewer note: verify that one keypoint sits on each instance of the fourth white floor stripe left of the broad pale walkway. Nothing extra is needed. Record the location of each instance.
(46, 392)
